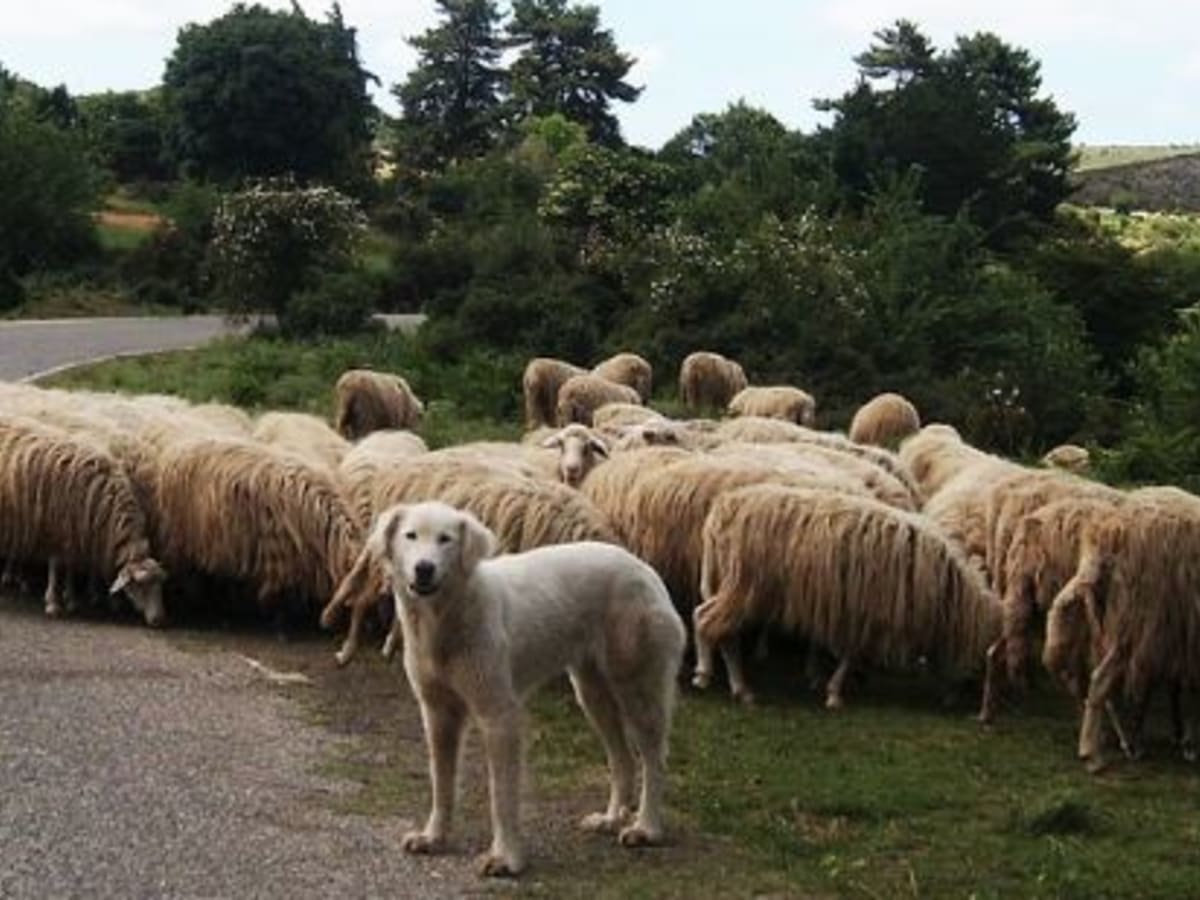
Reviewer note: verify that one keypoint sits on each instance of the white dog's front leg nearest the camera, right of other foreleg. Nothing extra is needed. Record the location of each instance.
(502, 742)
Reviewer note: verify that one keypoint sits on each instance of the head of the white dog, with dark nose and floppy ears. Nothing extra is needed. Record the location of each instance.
(427, 545)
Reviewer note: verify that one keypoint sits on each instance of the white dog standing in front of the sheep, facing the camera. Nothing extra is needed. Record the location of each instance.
(479, 634)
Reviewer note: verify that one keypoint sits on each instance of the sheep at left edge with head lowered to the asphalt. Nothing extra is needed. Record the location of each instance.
(69, 502)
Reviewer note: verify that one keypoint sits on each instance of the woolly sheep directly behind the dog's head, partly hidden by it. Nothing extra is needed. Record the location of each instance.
(523, 513)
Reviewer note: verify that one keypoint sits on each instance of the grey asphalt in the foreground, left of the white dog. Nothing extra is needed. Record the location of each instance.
(131, 769)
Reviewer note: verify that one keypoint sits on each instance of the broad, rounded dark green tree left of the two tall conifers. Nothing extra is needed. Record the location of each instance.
(260, 93)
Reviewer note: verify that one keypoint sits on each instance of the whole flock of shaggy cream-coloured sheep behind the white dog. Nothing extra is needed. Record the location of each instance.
(892, 548)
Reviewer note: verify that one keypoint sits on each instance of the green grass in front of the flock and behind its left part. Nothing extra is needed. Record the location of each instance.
(899, 795)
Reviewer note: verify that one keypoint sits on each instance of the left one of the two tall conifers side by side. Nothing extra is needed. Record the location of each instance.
(453, 99)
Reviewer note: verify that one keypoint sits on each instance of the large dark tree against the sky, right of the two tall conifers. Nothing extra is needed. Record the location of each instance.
(969, 121)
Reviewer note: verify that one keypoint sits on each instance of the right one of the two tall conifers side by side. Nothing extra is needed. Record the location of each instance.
(569, 65)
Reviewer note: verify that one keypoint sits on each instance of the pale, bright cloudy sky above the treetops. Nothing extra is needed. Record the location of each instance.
(1130, 71)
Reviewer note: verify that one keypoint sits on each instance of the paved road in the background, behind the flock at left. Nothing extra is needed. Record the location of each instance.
(32, 347)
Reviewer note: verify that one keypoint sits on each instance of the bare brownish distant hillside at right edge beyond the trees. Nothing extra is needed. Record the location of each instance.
(1168, 184)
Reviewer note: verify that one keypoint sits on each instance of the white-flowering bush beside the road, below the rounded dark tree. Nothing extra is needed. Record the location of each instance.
(275, 239)
